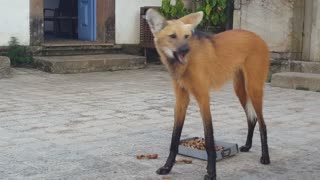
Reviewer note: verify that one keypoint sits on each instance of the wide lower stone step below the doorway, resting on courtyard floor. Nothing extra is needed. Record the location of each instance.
(88, 63)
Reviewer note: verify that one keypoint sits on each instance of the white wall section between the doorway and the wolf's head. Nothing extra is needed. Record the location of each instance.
(128, 19)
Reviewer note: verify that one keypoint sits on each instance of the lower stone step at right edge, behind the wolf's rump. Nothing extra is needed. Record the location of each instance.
(294, 80)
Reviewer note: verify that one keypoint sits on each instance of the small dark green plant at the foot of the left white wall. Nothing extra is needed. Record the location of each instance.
(19, 55)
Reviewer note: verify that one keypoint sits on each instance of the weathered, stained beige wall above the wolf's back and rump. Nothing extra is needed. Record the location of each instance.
(279, 23)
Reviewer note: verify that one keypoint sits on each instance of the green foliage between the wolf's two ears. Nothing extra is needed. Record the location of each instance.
(173, 11)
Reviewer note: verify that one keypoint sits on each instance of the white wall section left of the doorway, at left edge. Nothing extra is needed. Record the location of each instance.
(14, 21)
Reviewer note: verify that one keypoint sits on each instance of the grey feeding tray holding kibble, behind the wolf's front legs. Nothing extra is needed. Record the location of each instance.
(229, 149)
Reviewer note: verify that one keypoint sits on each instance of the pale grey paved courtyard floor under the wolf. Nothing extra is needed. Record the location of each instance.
(91, 126)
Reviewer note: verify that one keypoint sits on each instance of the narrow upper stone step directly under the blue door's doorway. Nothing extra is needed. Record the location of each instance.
(81, 49)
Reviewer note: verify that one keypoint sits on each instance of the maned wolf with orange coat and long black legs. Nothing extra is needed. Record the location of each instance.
(197, 63)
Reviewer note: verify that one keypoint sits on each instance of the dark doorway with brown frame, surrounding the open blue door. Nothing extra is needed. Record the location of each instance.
(42, 30)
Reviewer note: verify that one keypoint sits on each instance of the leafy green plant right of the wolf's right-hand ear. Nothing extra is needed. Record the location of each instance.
(215, 12)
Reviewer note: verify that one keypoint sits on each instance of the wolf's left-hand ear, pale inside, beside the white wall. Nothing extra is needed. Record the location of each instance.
(155, 20)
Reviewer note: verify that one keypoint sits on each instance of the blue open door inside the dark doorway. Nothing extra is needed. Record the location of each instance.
(87, 20)
